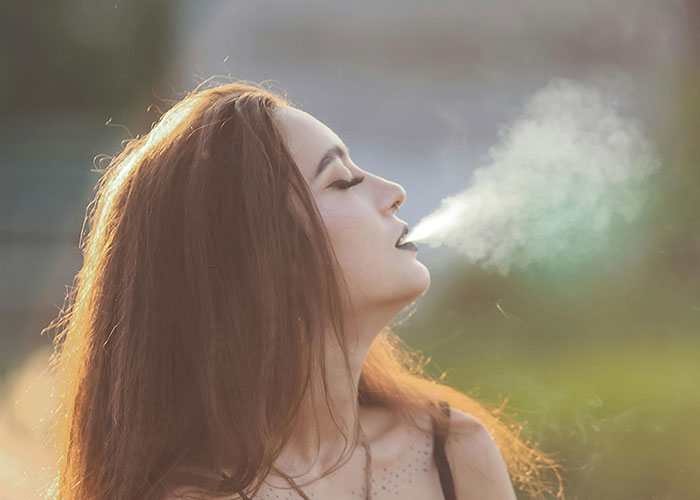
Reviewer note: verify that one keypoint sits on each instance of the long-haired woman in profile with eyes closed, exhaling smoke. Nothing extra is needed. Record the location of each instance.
(229, 334)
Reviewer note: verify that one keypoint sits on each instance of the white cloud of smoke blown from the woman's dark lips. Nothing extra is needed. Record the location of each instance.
(553, 186)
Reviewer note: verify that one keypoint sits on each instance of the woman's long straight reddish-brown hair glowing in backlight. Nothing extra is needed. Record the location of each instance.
(187, 340)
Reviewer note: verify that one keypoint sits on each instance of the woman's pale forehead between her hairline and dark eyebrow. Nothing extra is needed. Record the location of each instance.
(307, 138)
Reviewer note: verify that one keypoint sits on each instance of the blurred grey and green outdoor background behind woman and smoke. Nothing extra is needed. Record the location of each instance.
(601, 364)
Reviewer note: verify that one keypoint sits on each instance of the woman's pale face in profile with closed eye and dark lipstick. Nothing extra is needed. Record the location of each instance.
(360, 219)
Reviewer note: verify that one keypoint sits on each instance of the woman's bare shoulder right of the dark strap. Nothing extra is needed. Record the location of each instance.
(478, 467)
